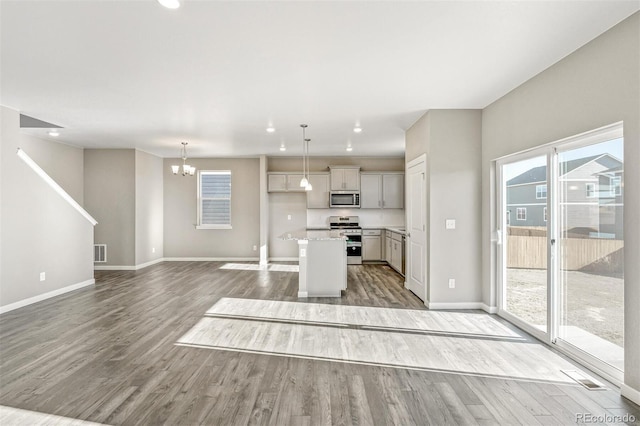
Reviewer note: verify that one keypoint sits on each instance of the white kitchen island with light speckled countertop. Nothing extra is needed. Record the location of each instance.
(322, 262)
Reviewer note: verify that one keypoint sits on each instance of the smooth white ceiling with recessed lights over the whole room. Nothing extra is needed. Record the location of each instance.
(132, 74)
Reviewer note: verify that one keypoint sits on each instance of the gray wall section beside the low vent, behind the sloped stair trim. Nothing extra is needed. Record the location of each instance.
(109, 196)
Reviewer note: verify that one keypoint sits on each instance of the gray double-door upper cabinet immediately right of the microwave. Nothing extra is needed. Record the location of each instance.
(382, 190)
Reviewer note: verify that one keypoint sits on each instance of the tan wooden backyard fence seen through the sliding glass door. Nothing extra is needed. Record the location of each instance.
(575, 253)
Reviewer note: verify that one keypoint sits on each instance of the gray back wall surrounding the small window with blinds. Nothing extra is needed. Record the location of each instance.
(182, 239)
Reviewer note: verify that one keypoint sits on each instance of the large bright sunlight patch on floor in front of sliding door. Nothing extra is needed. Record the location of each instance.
(451, 342)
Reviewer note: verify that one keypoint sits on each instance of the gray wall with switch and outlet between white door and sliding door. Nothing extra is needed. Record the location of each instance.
(451, 140)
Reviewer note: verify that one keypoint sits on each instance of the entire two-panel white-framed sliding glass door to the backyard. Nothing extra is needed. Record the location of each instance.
(560, 230)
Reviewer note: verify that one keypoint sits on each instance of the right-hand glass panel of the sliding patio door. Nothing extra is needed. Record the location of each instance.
(591, 244)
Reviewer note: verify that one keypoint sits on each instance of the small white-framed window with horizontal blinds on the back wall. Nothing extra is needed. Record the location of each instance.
(214, 199)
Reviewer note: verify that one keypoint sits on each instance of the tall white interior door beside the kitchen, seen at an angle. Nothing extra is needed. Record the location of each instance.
(416, 241)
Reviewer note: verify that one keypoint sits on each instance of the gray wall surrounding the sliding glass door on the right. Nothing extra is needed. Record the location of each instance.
(595, 86)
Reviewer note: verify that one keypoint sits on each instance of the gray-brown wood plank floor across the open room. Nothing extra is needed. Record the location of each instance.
(108, 354)
